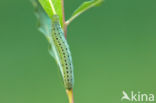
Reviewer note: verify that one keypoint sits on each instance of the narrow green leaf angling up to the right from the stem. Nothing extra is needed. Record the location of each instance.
(84, 7)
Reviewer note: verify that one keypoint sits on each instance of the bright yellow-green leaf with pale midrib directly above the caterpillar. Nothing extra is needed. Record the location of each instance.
(48, 6)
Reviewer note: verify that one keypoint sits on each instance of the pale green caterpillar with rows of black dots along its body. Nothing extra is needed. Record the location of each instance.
(62, 52)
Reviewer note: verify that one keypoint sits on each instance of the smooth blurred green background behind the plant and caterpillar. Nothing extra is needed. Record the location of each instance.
(113, 48)
